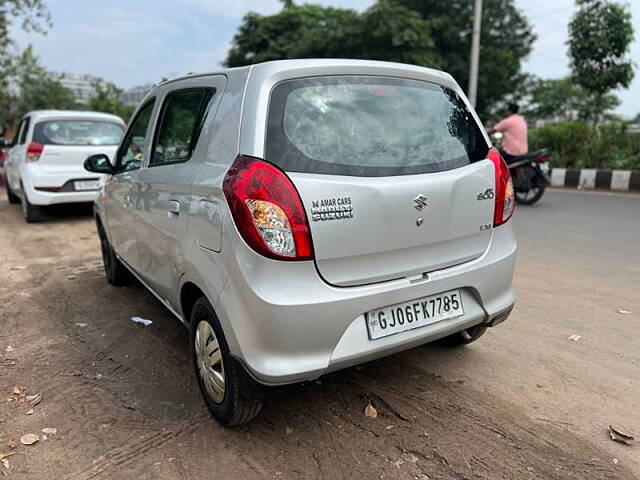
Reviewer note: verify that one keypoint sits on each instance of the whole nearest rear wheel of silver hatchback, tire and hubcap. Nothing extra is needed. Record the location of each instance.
(223, 382)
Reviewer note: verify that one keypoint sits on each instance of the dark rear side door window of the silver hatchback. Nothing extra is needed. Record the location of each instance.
(182, 117)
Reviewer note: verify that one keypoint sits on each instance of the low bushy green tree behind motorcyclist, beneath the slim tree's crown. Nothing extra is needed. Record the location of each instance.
(564, 100)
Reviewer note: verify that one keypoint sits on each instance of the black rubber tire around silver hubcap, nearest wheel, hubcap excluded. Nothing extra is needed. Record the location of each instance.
(237, 405)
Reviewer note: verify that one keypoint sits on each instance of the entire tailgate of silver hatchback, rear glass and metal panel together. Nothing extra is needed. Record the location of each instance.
(393, 174)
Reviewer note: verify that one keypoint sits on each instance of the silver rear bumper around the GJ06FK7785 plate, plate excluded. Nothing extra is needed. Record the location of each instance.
(285, 324)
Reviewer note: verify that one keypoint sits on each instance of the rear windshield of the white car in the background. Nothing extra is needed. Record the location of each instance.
(77, 132)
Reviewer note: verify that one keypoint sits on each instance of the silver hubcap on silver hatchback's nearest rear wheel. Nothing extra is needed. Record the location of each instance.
(209, 360)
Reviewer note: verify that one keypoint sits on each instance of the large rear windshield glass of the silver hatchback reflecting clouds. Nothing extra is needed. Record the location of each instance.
(370, 126)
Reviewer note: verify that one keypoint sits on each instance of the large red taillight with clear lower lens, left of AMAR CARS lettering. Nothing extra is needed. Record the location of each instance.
(267, 210)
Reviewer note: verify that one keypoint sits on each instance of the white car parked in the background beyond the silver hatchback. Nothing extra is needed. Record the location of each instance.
(44, 163)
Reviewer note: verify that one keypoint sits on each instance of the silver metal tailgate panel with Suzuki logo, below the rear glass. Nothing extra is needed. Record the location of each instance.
(368, 230)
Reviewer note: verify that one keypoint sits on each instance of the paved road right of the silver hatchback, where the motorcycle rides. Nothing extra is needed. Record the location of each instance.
(578, 264)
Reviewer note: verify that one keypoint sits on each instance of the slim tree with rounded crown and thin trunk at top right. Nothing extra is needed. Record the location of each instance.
(600, 35)
